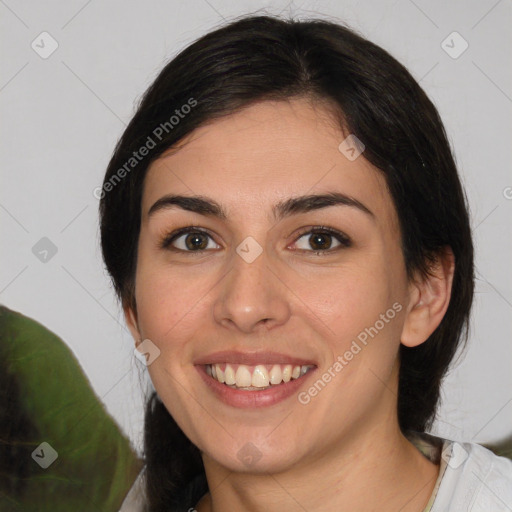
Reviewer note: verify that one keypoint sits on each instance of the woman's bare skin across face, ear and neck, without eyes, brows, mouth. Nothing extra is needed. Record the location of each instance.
(329, 453)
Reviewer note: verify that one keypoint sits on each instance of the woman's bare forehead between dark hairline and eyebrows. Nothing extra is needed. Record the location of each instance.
(265, 153)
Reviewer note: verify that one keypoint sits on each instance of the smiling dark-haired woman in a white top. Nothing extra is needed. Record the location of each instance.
(285, 227)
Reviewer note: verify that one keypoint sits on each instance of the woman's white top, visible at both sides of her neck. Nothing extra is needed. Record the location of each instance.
(471, 478)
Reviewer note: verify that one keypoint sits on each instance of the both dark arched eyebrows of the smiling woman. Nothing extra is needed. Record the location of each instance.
(292, 206)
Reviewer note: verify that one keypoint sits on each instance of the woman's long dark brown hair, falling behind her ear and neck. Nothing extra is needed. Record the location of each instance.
(375, 98)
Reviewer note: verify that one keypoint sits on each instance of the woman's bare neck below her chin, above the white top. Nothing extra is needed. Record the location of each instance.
(378, 469)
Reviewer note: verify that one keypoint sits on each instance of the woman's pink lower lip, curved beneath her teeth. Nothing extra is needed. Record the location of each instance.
(251, 399)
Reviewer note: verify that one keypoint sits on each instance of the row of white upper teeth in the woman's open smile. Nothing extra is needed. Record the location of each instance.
(260, 376)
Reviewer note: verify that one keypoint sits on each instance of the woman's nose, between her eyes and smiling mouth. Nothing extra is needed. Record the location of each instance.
(251, 297)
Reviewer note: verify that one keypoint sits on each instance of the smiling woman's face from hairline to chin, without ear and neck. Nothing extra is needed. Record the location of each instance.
(266, 289)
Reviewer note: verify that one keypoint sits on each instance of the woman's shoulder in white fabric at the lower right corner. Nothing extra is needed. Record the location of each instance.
(474, 479)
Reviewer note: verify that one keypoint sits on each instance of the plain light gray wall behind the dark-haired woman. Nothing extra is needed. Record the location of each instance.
(61, 117)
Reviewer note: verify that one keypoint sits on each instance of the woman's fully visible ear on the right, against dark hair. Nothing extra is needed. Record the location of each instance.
(429, 298)
